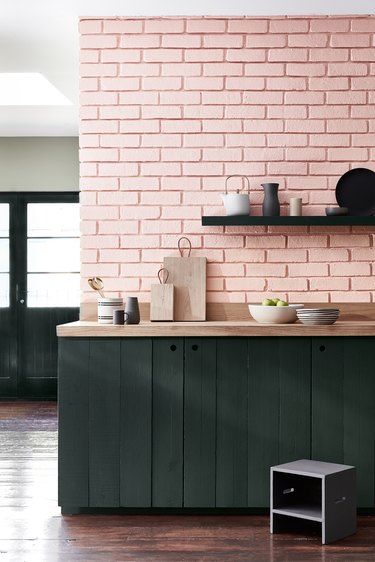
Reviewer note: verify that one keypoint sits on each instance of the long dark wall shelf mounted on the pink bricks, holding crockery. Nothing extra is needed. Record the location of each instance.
(245, 220)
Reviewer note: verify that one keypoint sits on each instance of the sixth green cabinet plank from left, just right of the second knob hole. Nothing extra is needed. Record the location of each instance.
(231, 453)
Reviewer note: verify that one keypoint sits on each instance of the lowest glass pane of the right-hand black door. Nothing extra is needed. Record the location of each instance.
(53, 289)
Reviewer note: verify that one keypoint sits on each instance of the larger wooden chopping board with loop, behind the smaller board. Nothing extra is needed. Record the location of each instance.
(188, 275)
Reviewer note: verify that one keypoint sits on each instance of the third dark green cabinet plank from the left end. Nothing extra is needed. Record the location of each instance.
(135, 424)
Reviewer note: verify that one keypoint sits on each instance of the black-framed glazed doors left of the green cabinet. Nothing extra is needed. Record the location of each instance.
(39, 287)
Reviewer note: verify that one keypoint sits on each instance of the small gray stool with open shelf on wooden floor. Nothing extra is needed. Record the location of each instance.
(316, 491)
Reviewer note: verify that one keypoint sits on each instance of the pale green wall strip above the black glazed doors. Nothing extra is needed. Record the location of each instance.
(39, 164)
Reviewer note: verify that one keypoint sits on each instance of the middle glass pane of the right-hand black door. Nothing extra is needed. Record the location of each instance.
(53, 255)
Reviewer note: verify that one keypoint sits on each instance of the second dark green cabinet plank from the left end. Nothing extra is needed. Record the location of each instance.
(104, 423)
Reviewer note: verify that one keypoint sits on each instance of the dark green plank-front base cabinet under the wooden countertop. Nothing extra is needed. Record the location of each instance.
(197, 422)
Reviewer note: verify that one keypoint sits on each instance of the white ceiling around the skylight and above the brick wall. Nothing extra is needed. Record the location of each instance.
(42, 36)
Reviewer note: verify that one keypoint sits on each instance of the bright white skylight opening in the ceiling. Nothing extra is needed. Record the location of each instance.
(29, 88)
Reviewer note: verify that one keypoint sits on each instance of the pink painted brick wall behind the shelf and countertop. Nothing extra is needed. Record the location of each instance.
(170, 106)
